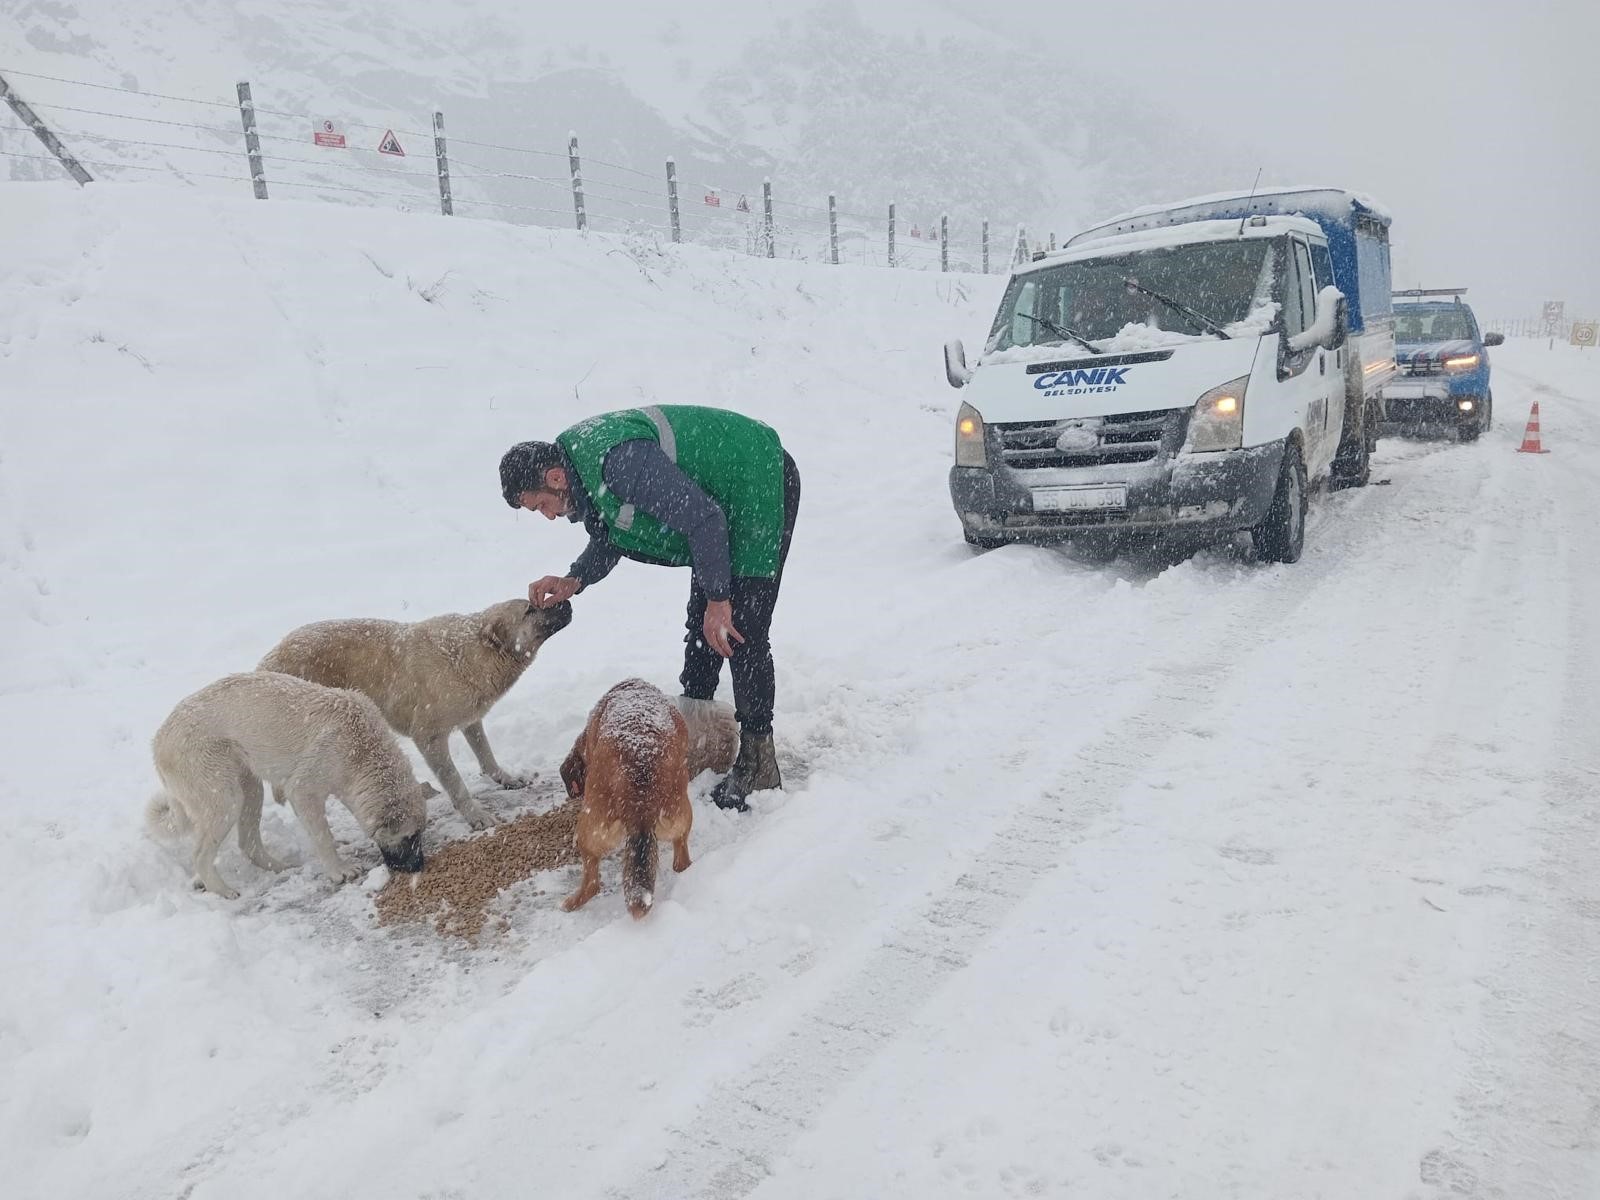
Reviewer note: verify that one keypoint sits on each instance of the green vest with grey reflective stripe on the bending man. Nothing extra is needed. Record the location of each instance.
(735, 460)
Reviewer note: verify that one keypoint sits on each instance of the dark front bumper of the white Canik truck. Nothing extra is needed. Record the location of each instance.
(1201, 495)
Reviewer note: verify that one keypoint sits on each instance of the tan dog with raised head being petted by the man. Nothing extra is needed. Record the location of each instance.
(431, 678)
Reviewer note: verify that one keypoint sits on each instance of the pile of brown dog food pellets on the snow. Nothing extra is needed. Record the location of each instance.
(462, 881)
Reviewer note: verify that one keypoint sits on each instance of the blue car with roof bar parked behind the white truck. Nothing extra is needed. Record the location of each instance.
(1444, 366)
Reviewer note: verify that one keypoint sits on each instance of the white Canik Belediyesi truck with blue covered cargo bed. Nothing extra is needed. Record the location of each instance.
(1191, 370)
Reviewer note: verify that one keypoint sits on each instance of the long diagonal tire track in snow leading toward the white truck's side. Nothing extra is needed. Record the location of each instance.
(743, 1127)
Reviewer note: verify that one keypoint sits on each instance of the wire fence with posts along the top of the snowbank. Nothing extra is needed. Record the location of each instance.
(113, 132)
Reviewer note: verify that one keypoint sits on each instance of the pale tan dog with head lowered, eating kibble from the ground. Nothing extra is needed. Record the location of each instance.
(222, 745)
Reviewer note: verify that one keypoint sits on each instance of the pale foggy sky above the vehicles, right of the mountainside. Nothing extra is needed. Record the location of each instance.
(1478, 124)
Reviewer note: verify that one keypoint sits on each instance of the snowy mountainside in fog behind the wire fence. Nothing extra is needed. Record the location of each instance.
(897, 102)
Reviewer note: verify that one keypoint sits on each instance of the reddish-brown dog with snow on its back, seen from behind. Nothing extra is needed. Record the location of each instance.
(631, 769)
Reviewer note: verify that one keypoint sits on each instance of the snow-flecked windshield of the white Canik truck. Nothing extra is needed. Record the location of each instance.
(1226, 282)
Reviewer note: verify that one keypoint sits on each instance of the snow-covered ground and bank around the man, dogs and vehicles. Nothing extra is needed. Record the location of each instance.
(1199, 879)
